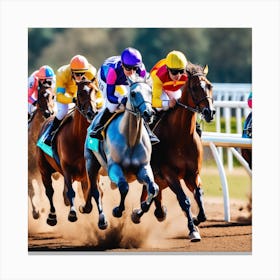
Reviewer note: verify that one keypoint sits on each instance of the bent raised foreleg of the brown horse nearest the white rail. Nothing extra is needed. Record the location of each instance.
(193, 183)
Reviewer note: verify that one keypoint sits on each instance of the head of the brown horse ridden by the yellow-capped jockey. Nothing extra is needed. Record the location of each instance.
(201, 91)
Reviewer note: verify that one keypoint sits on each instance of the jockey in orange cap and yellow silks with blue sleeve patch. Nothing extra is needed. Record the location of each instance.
(67, 77)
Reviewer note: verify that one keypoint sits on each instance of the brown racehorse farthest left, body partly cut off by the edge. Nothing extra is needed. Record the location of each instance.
(44, 109)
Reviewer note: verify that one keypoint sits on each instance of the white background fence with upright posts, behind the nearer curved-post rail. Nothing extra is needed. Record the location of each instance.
(230, 100)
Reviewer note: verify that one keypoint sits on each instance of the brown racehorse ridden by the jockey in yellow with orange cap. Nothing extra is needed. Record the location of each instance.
(68, 151)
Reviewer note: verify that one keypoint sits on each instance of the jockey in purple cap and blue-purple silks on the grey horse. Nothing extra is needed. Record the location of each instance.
(112, 80)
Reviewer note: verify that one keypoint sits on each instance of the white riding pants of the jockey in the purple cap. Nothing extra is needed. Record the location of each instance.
(120, 91)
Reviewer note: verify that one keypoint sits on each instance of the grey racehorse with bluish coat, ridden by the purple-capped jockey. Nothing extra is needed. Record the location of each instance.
(125, 152)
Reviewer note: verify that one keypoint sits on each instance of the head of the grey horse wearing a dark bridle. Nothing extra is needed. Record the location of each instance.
(140, 99)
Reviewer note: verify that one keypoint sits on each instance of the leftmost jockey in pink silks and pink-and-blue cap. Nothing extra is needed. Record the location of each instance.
(43, 76)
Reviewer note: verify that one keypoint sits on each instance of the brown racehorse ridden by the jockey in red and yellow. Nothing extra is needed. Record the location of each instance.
(179, 154)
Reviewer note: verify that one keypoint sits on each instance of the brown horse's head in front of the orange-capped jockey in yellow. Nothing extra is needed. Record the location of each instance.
(85, 99)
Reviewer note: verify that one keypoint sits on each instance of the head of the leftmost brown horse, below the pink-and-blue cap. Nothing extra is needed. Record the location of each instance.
(45, 102)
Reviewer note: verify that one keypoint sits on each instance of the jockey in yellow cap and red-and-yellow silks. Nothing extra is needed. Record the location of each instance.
(169, 76)
